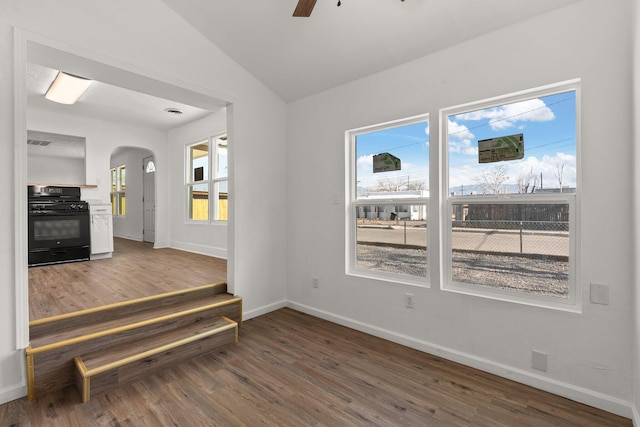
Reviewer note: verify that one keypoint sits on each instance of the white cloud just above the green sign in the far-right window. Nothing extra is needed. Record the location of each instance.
(506, 116)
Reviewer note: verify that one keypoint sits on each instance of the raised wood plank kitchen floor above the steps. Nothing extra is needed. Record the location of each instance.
(135, 270)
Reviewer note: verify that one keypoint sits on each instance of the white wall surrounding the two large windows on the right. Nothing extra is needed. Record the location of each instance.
(590, 354)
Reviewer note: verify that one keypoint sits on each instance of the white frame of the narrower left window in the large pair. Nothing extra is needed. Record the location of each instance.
(352, 203)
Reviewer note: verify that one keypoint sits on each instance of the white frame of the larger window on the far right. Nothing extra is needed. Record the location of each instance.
(573, 302)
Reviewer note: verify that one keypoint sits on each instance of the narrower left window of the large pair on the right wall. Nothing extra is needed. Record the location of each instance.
(389, 192)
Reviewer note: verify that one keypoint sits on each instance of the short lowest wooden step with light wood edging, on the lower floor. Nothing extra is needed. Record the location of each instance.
(101, 371)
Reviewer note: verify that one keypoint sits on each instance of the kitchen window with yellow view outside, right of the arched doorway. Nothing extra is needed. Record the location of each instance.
(207, 193)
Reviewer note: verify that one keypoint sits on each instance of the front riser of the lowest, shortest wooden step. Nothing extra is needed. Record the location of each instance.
(90, 385)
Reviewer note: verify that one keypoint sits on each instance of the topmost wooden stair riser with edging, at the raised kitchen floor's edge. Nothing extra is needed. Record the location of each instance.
(71, 320)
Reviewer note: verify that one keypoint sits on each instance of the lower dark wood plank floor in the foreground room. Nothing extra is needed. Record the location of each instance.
(291, 369)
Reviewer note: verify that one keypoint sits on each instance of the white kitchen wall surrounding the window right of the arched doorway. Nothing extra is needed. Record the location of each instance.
(209, 239)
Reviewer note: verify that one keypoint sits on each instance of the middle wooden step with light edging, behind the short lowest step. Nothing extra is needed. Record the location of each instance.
(50, 358)
